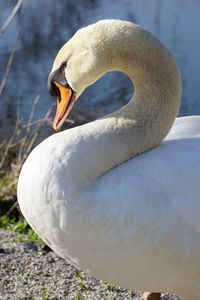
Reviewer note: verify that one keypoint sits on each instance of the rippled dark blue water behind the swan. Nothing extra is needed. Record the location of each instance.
(45, 25)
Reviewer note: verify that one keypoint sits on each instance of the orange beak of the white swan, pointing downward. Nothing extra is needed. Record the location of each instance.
(64, 105)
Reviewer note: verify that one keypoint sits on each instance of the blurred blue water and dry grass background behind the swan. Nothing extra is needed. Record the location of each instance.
(32, 31)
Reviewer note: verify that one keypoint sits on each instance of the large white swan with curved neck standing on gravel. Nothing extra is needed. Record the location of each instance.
(110, 195)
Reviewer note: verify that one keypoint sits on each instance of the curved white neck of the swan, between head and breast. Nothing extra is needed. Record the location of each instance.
(142, 123)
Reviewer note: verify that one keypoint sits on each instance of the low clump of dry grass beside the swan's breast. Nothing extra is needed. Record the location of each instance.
(15, 148)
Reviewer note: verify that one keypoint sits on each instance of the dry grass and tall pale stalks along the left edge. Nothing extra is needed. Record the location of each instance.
(17, 144)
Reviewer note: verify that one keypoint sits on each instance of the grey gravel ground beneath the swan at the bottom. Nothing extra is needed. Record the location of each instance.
(29, 272)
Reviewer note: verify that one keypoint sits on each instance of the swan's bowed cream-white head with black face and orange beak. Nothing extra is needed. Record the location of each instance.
(82, 61)
